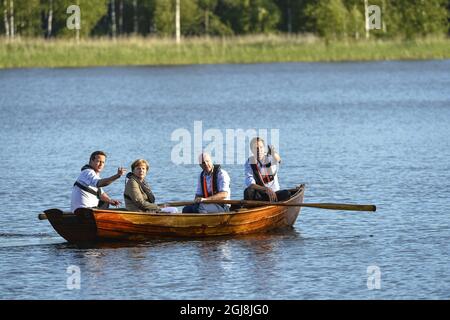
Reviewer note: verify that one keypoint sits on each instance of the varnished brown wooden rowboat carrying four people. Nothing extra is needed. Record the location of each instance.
(93, 224)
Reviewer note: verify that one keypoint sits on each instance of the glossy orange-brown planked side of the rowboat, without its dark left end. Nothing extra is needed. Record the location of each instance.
(133, 225)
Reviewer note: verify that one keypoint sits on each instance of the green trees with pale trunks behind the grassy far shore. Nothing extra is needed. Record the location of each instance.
(331, 19)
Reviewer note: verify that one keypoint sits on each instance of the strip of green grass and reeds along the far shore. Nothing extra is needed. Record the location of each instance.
(250, 49)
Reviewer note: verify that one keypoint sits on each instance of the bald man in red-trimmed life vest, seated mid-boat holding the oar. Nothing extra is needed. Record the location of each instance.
(213, 184)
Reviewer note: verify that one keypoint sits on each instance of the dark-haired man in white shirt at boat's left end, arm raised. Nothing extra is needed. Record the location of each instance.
(87, 191)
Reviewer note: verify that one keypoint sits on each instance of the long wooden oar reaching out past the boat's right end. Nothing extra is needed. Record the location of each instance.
(329, 206)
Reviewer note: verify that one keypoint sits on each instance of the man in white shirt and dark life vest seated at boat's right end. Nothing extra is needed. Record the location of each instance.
(261, 174)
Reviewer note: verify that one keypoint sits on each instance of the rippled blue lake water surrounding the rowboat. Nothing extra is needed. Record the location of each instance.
(374, 132)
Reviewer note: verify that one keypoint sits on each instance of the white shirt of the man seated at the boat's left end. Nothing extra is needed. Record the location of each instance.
(81, 198)
